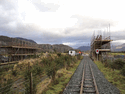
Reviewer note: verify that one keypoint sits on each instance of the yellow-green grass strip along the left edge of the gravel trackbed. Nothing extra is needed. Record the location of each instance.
(59, 84)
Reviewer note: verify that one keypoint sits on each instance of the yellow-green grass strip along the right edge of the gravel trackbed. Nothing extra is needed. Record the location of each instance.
(113, 76)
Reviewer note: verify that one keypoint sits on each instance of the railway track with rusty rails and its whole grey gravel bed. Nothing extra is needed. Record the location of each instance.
(88, 79)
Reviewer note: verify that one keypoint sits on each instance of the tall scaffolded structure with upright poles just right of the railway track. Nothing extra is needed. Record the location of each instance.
(100, 41)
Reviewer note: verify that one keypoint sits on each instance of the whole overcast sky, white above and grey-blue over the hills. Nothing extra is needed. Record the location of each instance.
(69, 22)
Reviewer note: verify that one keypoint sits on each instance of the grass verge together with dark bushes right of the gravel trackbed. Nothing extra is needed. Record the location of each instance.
(114, 72)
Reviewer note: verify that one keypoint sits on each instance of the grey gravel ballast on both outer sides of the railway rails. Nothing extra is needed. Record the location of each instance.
(104, 87)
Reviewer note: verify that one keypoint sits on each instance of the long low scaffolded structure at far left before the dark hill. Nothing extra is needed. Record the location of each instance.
(13, 49)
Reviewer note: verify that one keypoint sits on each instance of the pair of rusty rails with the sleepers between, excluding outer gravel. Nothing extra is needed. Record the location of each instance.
(88, 84)
